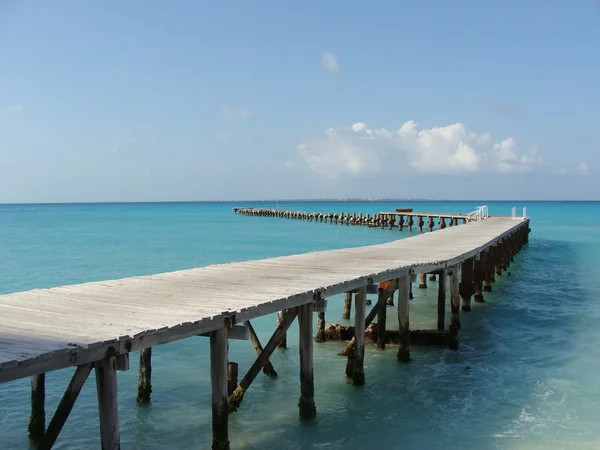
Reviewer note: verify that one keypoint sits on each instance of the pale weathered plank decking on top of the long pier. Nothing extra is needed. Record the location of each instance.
(48, 329)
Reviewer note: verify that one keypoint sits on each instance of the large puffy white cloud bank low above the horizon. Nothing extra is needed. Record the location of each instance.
(360, 149)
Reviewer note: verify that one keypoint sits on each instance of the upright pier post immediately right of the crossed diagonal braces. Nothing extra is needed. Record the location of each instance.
(306, 404)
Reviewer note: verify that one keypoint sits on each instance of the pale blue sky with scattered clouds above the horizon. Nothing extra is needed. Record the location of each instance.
(195, 100)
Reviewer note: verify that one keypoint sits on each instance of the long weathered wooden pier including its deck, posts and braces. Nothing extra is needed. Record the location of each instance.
(97, 325)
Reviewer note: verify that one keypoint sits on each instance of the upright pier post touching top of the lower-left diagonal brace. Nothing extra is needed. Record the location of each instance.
(108, 408)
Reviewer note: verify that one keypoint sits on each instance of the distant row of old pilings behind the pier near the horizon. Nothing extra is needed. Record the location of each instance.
(381, 220)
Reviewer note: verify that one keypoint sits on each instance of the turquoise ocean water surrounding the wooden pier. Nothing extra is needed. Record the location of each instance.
(531, 348)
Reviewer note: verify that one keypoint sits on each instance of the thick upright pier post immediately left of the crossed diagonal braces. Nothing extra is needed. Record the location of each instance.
(219, 383)
